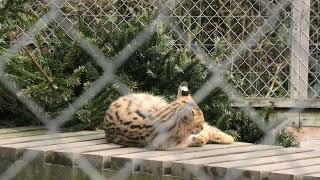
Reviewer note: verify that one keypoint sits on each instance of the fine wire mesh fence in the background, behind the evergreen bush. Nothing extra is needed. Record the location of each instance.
(219, 27)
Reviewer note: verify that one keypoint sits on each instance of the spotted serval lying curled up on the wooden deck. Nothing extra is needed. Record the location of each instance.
(145, 120)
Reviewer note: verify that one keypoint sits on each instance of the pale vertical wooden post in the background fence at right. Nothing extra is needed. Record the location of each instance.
(300, 49)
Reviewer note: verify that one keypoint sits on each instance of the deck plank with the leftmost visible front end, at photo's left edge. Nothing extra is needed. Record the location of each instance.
(14, 151)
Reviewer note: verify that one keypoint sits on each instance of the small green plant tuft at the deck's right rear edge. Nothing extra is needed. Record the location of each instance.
(286, 138)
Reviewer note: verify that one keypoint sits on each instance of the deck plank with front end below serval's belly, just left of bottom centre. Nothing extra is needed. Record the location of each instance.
(162, 164)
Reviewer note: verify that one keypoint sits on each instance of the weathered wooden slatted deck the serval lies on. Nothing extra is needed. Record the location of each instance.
(237, 161)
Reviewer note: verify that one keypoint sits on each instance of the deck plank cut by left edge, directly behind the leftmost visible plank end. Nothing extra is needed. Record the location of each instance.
(47, 136)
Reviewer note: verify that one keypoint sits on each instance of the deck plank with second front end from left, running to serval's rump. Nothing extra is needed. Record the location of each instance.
(42, 151)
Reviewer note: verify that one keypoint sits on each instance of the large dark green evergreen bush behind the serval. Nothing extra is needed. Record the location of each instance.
(156, 67)
